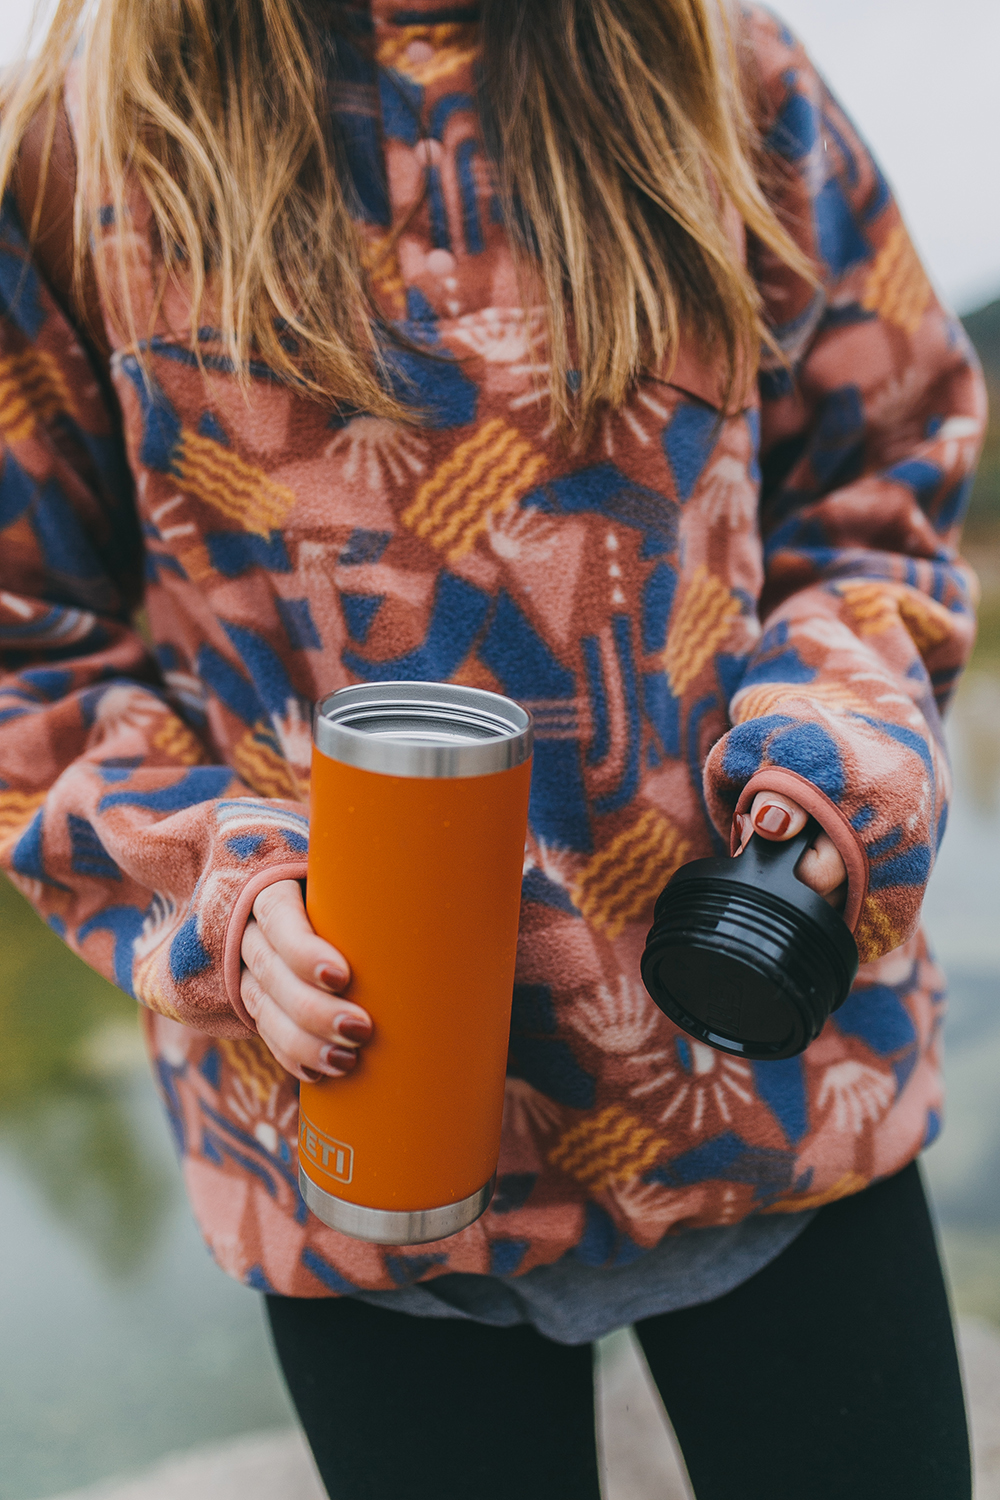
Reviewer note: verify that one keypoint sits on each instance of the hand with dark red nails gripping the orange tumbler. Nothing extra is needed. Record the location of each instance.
(292, 986)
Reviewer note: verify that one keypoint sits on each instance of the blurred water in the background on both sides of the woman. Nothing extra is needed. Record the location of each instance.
(121, 1340)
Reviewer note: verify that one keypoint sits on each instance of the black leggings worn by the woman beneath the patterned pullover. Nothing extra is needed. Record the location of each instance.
(828, 1376)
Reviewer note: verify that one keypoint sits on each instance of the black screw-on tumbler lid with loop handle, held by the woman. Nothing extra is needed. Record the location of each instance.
(746, 958)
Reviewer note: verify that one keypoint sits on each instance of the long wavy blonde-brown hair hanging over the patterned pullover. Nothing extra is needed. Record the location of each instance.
(621, 145)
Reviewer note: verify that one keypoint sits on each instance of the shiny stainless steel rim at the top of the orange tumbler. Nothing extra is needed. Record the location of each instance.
(424, 730)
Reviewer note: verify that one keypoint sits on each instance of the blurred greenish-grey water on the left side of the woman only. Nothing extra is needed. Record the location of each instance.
(119, 1337)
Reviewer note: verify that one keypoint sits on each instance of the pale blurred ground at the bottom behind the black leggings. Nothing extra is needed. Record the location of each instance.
(639, 1456)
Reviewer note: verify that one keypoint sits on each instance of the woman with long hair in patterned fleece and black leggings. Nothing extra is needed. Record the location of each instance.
(425, 344)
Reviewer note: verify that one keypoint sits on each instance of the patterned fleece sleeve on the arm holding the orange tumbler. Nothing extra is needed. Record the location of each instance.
(115, 821)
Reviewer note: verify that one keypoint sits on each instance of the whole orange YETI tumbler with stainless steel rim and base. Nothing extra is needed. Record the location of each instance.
(418, 836)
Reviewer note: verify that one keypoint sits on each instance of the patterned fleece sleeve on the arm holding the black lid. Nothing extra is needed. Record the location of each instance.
(872, 425)
